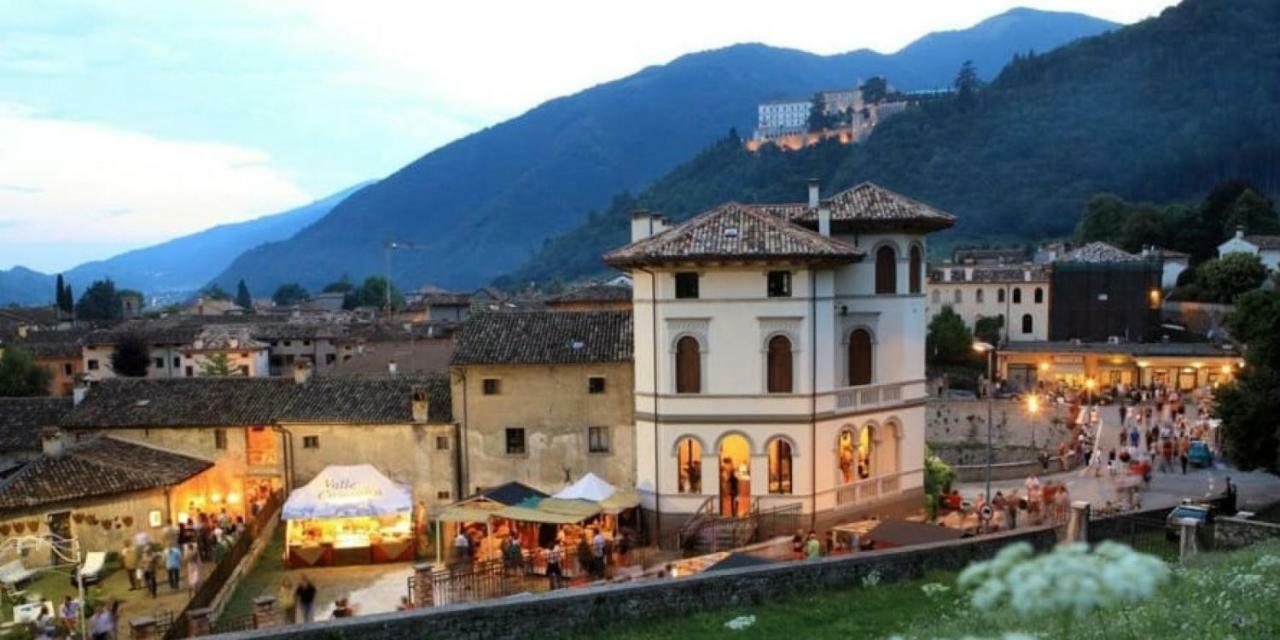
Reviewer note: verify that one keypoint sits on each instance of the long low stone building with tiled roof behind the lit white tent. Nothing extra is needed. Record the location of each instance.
(272, 433)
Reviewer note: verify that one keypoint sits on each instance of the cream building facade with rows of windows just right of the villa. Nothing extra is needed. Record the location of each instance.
(1017, 294)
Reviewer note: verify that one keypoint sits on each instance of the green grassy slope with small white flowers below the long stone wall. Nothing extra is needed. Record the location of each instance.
(1219, 596)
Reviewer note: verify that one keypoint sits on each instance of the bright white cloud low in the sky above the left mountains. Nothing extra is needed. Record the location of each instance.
(74, 182)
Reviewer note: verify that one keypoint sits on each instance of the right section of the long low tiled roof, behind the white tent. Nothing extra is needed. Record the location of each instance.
(376, 400)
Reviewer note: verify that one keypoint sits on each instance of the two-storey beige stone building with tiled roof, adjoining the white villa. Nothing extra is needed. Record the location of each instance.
(545, 397)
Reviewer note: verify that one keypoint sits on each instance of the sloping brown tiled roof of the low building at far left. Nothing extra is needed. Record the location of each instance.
(97, 468)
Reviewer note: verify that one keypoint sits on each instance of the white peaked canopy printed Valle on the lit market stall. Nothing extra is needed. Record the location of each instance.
(341, 492)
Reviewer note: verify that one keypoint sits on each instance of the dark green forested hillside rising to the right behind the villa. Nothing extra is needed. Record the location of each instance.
(1162, 111)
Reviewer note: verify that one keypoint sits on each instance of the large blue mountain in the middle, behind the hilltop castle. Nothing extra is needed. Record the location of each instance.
(482, 205)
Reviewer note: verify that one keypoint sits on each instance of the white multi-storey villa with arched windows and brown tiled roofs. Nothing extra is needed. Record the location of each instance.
(780, 355)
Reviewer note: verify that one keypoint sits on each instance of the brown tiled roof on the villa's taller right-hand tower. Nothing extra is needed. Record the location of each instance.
(868, 207)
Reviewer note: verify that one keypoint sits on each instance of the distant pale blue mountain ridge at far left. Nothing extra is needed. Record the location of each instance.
(177, 267)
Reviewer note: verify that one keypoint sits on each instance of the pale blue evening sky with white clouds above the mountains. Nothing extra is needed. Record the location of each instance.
(130, 122)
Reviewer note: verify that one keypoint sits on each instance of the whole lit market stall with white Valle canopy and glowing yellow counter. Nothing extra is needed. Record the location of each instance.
(349, 515)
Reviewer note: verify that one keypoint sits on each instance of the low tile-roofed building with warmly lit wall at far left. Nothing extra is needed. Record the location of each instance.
(102, 491)
